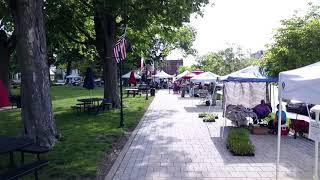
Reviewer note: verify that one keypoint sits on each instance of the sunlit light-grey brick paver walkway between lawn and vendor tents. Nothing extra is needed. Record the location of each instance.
(173, 143)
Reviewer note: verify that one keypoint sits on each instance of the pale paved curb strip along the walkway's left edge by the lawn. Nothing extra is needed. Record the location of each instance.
(126, 147)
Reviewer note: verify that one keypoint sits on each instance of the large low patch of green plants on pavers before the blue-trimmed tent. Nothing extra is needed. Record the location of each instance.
(239, 143)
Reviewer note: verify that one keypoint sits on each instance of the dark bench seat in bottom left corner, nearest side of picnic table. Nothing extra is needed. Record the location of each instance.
(14, 174)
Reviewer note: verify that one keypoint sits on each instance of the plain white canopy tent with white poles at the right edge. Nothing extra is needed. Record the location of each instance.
(302, 84)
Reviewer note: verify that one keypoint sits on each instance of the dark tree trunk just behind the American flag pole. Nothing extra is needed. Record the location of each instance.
(105, 33)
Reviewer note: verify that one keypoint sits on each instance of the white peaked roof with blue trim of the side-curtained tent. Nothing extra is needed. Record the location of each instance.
(249, 74)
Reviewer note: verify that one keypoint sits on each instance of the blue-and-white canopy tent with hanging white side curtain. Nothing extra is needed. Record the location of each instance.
(246, 87)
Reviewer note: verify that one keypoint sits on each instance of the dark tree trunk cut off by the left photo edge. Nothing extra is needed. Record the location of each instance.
(5, 53)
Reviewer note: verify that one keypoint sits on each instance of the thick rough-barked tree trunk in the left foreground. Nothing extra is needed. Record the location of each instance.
(32, 55)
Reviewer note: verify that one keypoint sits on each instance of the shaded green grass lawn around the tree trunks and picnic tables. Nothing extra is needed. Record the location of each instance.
(84, 141)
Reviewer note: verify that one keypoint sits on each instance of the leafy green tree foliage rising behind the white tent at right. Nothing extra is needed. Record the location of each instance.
(296, 43)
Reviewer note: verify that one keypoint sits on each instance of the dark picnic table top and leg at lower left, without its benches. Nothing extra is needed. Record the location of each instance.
(11, 144)
